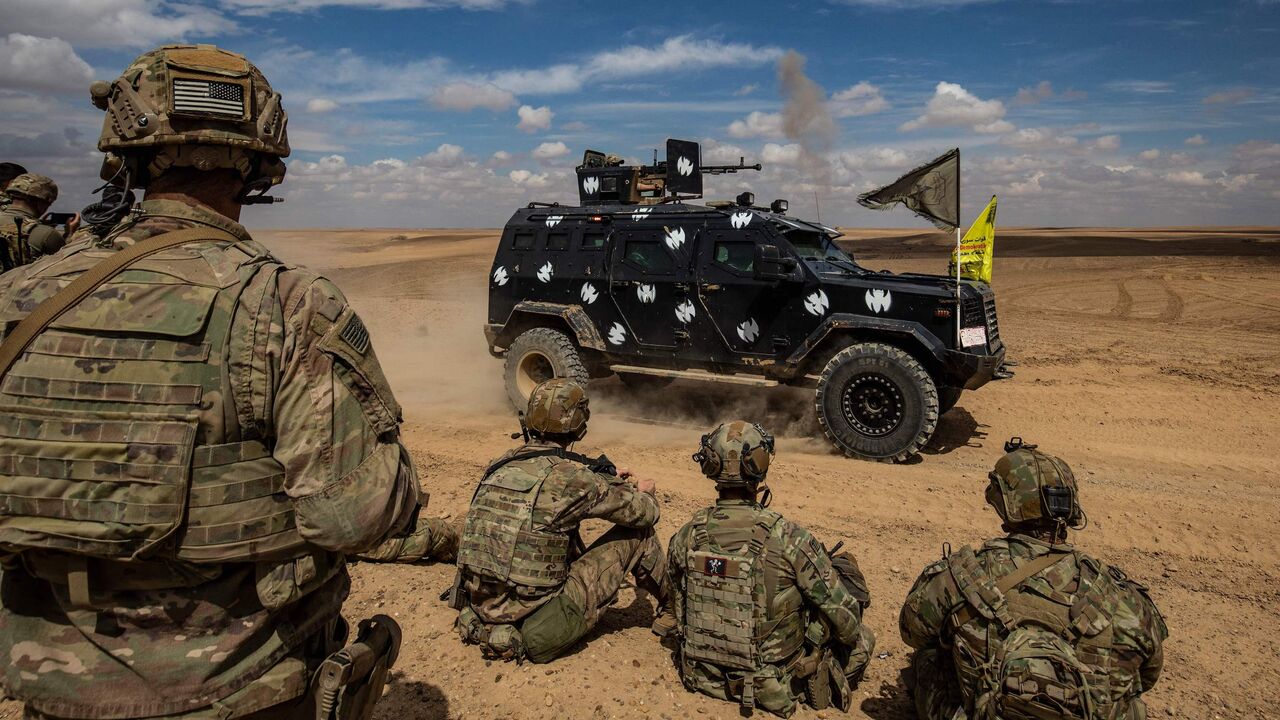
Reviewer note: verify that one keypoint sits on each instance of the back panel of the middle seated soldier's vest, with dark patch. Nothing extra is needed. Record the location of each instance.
(725, 603)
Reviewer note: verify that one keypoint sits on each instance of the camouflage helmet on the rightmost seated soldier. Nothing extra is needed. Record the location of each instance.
(1031, 489)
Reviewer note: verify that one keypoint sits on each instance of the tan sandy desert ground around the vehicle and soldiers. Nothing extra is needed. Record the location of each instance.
(1149, 359)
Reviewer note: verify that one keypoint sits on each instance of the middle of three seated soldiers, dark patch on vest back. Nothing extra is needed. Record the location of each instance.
(765, 617)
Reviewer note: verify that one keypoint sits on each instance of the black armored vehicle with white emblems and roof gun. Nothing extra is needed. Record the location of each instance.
(642, 284)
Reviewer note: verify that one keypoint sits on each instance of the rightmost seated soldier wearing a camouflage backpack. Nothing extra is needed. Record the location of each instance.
(1028, 627)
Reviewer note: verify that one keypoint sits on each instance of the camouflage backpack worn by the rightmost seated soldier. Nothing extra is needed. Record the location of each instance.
(1031, 668)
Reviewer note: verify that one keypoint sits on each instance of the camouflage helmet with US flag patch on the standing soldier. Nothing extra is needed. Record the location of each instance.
(191, 106)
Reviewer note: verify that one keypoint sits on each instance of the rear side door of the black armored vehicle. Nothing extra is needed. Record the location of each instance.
(650, 281)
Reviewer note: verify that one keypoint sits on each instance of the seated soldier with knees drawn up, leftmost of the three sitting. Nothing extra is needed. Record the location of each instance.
(527, 589)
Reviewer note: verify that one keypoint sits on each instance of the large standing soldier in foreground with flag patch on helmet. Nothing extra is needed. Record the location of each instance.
(193, 434)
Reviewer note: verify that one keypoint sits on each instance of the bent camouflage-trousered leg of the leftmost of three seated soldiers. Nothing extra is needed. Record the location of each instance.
(593, 582)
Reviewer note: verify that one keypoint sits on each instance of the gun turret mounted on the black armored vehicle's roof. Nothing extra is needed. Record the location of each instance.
(606, 180)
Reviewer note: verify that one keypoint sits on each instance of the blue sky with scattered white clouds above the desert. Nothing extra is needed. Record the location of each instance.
(450, 113)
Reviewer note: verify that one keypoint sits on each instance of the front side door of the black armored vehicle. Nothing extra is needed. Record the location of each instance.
(751, 312)
